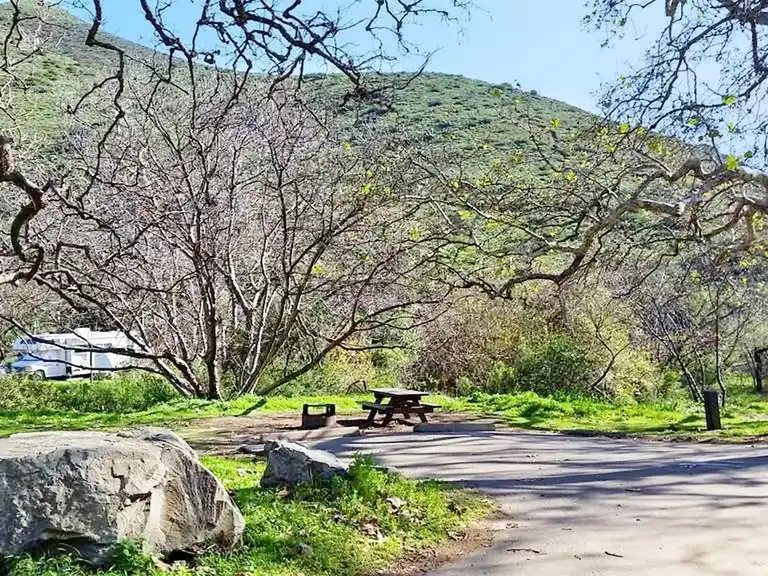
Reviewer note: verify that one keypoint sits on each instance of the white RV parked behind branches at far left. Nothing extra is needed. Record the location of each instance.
(61, 355)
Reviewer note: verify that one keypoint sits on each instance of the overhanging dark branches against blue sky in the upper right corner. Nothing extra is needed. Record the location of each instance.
(703, 77)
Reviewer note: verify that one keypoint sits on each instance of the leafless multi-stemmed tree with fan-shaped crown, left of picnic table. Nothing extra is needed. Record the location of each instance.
(236, 237)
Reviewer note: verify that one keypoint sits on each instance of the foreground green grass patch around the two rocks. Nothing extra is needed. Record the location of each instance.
(352, 526)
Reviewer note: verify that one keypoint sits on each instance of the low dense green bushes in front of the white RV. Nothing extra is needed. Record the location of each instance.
(119, 394)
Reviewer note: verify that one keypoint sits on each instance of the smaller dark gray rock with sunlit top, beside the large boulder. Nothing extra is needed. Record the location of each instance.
(289, 464)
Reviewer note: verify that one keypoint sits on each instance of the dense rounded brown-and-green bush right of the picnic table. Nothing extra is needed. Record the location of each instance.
(542, 342)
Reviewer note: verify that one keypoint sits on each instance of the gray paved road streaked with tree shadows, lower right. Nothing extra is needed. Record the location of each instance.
(597, 506)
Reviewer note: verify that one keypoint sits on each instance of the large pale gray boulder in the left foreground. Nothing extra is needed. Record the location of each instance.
(88, 491)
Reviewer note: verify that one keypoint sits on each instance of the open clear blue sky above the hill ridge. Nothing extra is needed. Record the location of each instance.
(539, 43)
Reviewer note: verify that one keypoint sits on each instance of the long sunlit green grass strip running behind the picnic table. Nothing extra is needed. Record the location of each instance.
(27, 406)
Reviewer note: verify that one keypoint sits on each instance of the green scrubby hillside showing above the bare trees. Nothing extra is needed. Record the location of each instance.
(462, 112)
